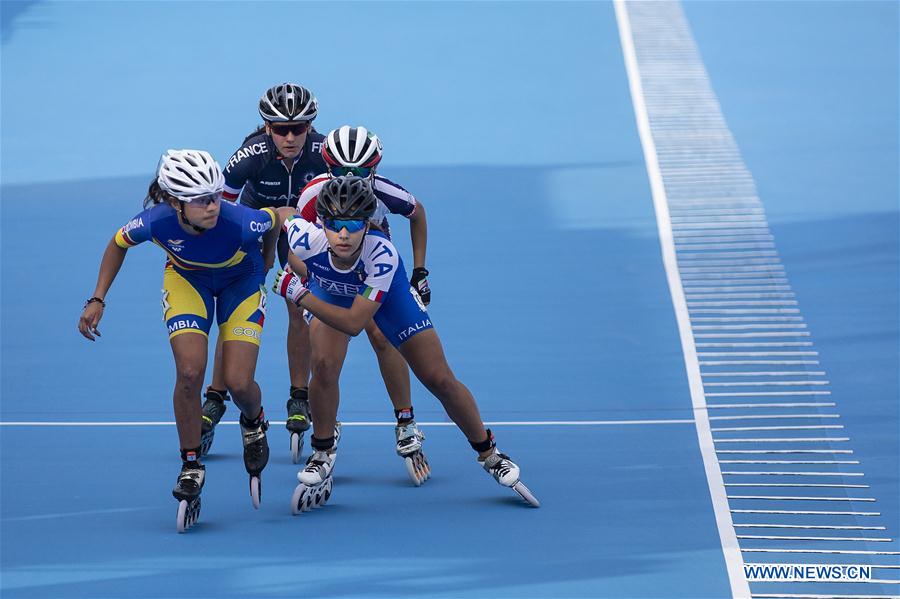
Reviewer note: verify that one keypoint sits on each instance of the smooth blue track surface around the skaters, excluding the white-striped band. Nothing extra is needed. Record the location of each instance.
(549, 293)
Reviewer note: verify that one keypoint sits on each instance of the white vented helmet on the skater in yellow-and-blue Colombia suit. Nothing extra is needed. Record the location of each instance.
(189, 174)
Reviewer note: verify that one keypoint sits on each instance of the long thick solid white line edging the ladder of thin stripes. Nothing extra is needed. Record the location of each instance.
(727, 537)
